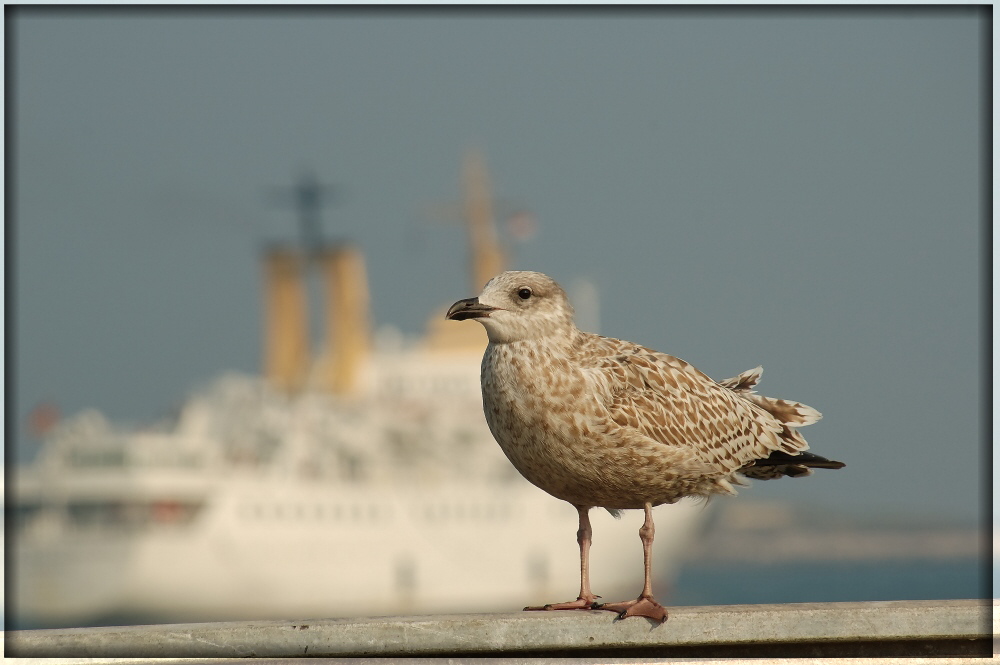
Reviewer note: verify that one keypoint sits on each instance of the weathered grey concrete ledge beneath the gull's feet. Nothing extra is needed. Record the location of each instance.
(893, 628)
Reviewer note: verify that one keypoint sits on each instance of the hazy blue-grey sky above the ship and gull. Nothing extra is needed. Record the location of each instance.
(796, 188)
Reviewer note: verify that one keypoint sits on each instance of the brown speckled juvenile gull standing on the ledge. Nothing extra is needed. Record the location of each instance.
(601, 422)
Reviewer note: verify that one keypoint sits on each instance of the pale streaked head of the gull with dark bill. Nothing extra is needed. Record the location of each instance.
(518, 305)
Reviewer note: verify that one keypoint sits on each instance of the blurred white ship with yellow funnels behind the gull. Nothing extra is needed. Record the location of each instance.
(363, 481)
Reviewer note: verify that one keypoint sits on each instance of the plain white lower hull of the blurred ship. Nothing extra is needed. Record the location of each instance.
(269, 550)
